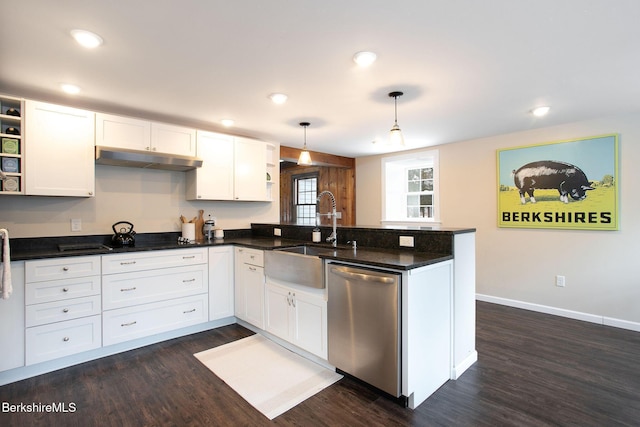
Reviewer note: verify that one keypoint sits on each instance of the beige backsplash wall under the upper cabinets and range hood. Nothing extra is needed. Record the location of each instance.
(152, 200)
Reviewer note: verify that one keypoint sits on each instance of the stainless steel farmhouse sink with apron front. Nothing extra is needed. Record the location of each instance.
(300, 265)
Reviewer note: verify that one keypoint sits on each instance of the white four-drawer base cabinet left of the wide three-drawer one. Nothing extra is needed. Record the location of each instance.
(62, 307)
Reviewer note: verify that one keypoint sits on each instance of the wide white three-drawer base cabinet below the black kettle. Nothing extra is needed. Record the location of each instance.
(140, 298)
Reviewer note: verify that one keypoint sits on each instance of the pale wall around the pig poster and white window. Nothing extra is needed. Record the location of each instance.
(602, 268)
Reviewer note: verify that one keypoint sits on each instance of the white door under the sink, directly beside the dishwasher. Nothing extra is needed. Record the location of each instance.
(310, 323)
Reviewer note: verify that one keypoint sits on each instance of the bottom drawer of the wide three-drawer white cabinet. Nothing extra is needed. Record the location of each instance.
(148, 319)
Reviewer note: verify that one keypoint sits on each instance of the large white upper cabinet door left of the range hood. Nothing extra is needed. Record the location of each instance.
(59, 152)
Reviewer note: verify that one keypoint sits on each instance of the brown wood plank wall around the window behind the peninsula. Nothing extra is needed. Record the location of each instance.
(339, 180)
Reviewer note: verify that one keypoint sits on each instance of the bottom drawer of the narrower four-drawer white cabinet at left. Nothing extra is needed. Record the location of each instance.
(61, 339)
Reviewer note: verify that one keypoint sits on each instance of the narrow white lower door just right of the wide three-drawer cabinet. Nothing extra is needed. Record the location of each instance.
(221, 300)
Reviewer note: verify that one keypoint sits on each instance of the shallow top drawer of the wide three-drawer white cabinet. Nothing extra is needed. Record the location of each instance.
(140, 261)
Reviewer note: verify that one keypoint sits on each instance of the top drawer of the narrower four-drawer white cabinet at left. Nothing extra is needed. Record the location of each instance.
(61, 268)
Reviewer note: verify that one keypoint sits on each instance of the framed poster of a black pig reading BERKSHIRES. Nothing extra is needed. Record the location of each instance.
(560, 185)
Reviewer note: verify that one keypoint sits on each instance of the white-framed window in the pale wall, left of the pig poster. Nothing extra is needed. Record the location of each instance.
(410, 187)
